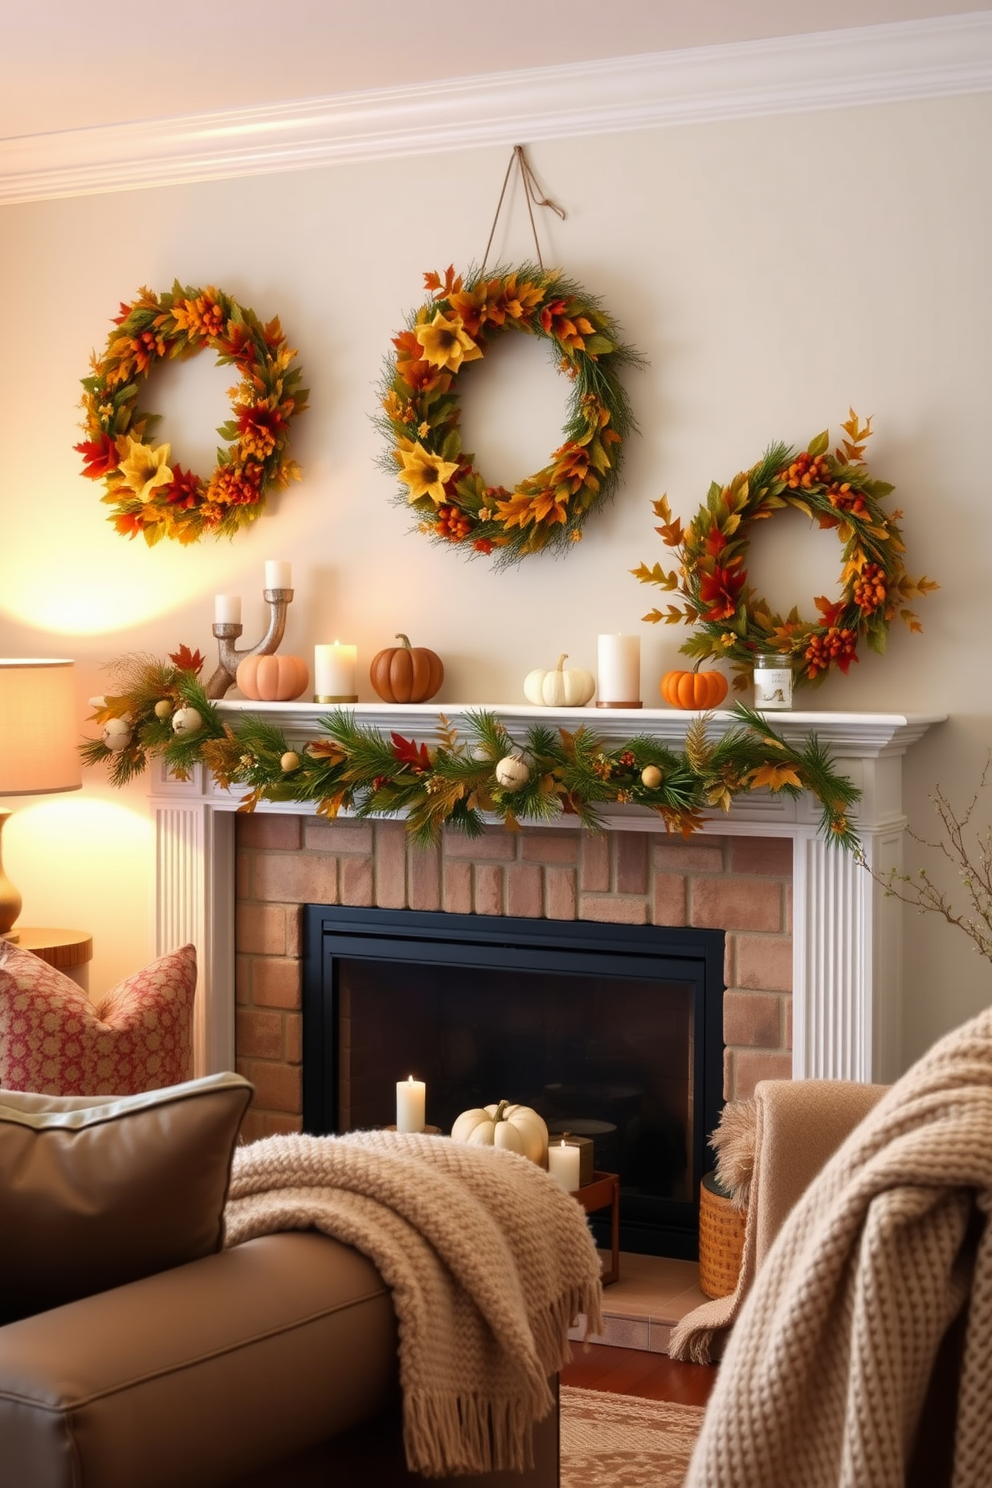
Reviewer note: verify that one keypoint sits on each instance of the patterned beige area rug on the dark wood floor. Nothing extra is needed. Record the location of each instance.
(613, 1441)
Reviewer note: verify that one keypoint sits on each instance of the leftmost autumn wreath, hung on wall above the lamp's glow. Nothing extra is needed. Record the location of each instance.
(149, 493)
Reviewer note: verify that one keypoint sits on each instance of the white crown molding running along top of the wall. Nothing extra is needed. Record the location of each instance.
(788, 75)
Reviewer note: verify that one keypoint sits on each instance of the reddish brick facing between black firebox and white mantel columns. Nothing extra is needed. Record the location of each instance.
(737, 885)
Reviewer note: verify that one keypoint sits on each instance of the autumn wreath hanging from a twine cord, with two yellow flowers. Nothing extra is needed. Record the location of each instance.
(422, 401)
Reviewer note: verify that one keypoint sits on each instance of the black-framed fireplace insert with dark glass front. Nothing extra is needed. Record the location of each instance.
(611, 1032)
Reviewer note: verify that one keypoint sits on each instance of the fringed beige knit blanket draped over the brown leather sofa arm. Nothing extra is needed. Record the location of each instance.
(489, 1261)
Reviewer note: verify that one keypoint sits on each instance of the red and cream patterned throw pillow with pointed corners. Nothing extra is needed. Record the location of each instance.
(56, 1042)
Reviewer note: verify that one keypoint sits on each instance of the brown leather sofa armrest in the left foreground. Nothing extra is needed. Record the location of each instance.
(200, 1374)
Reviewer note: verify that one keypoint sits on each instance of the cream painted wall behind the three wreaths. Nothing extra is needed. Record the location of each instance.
(773, 272)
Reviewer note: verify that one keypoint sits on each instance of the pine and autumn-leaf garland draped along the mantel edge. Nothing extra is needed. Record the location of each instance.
(356, 769)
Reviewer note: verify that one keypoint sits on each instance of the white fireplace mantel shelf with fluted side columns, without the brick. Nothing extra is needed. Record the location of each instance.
(847, 932)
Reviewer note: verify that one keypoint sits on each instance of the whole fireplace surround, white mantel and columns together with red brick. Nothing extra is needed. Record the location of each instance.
(813, 956)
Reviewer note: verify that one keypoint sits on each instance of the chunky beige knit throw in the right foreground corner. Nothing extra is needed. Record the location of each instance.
(826, 1377)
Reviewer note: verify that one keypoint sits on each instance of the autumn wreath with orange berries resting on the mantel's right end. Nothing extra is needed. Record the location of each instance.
(732, 621)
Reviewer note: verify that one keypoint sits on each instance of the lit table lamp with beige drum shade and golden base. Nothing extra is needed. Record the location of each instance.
(38, 748)
